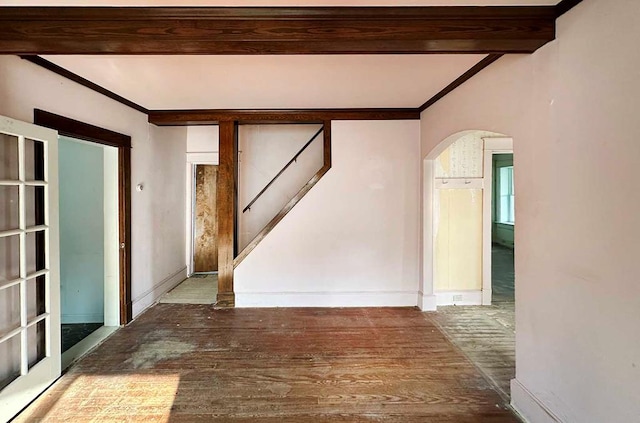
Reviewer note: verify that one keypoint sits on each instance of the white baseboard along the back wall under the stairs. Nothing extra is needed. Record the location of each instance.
(326, 299)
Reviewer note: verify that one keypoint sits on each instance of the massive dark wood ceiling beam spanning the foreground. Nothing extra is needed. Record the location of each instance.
(269, 30)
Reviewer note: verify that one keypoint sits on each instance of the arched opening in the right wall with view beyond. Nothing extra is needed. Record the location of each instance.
(468, 277)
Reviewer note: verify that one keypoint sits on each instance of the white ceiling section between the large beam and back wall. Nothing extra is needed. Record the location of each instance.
(245, 82)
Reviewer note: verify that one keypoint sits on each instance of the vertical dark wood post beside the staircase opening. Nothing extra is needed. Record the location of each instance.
(225, 203)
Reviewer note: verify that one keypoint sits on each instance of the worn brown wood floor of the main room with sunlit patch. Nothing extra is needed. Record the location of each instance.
(191, 363)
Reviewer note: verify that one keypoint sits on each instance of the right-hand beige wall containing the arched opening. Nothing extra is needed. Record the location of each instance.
(571, 109)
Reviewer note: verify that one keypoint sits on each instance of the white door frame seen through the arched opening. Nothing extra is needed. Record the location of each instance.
(492, 145)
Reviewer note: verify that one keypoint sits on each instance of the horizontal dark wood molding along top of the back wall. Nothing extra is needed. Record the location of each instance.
(214, 116)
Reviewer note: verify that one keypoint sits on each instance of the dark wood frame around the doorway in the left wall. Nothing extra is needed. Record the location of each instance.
(76, 129)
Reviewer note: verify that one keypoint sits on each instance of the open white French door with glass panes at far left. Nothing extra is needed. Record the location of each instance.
(29, 264)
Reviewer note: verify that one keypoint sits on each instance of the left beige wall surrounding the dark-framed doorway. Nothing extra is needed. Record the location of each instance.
(157, 162)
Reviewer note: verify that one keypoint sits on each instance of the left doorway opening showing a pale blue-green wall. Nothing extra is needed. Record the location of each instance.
(89, 294)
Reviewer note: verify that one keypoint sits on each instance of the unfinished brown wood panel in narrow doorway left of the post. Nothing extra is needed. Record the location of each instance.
(205, 248)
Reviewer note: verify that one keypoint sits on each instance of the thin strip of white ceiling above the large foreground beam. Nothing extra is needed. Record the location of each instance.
(239, 3)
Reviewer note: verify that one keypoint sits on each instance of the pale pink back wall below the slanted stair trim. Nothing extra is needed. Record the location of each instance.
(353, 239)
